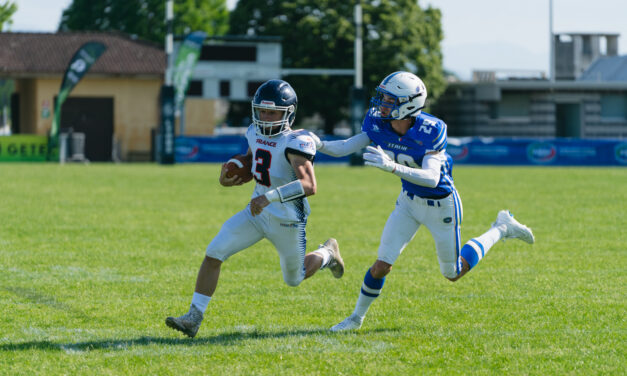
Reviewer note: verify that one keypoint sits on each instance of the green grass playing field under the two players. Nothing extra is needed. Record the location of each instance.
(93, 258)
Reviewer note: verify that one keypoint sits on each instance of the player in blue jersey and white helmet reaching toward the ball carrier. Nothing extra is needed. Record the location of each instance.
(411, 144)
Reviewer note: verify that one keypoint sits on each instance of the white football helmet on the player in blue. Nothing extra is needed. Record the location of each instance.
(403, 93)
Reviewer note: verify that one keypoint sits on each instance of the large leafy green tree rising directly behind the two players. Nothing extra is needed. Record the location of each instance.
(397, 35)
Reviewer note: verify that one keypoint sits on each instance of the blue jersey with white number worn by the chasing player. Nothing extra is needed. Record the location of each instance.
(426, 135)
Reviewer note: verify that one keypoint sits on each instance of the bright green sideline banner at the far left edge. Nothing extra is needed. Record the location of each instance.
(23, 148)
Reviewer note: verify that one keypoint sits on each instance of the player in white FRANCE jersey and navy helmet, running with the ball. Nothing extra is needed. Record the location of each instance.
(284, 174)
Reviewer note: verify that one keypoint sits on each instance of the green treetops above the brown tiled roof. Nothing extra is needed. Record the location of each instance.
(146, 18)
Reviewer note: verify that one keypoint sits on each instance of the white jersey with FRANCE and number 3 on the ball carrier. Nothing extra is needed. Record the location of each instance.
(271, 168)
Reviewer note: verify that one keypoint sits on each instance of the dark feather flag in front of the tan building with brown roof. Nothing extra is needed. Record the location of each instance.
(80, 63)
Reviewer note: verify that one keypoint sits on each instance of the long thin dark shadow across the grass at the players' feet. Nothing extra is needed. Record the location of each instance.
(224, 339)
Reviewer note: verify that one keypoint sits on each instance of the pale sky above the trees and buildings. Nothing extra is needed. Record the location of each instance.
(478, 34)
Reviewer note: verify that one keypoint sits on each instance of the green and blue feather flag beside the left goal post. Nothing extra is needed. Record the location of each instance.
(186, 59)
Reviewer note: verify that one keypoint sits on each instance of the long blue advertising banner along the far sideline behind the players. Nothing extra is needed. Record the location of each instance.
(490, 151)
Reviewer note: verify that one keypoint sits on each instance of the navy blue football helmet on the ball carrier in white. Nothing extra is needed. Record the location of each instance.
(274, 95)
